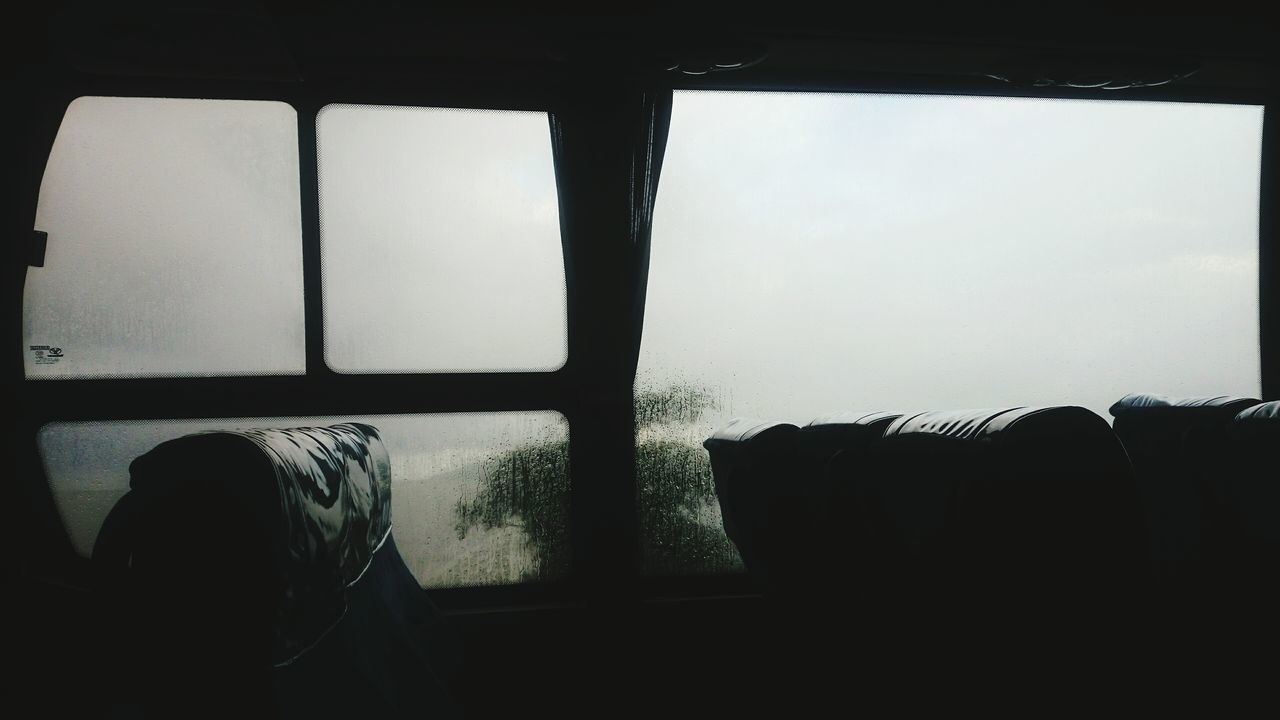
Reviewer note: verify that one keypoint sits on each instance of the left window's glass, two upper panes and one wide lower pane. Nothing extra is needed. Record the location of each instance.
(176, 249)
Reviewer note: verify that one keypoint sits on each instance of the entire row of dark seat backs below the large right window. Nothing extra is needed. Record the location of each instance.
(792, 496)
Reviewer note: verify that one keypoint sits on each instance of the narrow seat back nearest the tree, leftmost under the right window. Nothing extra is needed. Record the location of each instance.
(756, 471)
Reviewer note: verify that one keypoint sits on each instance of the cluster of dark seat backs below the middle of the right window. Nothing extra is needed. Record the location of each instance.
(1007, 500)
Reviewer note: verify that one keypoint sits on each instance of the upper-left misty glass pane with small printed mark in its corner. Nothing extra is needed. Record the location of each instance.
(175, 243)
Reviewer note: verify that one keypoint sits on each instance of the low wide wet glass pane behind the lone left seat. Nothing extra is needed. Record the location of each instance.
(477, 499)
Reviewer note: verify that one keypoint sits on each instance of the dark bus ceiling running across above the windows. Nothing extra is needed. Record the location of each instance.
(399, 43)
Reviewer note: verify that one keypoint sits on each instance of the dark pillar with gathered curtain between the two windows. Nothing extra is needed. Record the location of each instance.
(609, 138)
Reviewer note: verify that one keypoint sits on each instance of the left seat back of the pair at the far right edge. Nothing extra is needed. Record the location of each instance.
(1174, 445)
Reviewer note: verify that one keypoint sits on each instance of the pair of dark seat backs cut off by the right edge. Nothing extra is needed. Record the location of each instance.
(1206, 471)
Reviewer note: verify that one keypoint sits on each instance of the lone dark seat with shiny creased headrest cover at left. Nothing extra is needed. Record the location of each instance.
(258, 573)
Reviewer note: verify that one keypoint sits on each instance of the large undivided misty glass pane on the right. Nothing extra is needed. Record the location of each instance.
(816, 253)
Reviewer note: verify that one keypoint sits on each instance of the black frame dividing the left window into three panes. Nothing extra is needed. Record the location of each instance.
(321, 390)
